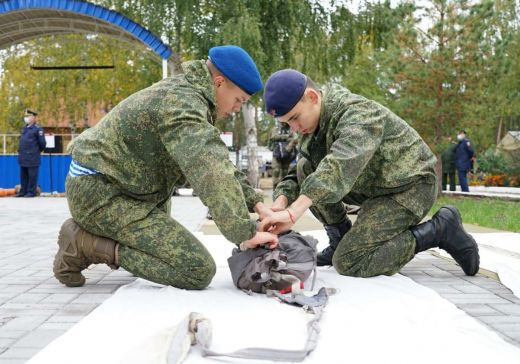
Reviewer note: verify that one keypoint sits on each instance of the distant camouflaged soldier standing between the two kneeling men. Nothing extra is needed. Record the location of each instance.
(283, 143)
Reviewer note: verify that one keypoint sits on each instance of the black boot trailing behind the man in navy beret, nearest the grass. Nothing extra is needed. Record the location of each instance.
(445, 231)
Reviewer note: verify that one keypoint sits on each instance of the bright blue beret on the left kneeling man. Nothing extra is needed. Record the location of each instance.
(238, 66)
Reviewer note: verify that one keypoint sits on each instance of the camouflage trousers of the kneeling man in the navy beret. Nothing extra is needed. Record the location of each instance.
(380, 240)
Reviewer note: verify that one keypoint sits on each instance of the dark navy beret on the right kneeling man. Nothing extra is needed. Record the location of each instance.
(283, 90)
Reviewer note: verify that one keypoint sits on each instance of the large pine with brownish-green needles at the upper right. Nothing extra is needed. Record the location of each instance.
(452, 73)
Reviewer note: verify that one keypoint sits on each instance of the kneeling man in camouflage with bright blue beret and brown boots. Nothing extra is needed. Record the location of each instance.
(125, 168)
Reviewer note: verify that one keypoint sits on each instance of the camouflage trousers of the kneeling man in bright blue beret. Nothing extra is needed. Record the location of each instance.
(152, 245)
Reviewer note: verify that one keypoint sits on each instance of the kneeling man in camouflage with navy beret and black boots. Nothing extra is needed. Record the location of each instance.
(355, 150)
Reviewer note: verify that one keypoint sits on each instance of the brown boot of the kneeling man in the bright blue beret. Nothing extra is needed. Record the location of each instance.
(77, 250)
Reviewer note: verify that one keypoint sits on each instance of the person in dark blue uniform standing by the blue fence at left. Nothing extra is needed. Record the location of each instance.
(32, 143)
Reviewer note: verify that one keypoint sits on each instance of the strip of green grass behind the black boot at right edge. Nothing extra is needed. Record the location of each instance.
(487, 212)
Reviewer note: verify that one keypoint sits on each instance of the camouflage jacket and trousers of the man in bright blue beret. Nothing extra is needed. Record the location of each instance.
(157, 138)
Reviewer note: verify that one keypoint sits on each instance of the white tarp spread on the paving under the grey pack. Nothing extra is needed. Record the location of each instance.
(375, 320)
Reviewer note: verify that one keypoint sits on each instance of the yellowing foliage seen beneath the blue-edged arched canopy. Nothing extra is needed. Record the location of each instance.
(73, 94)
